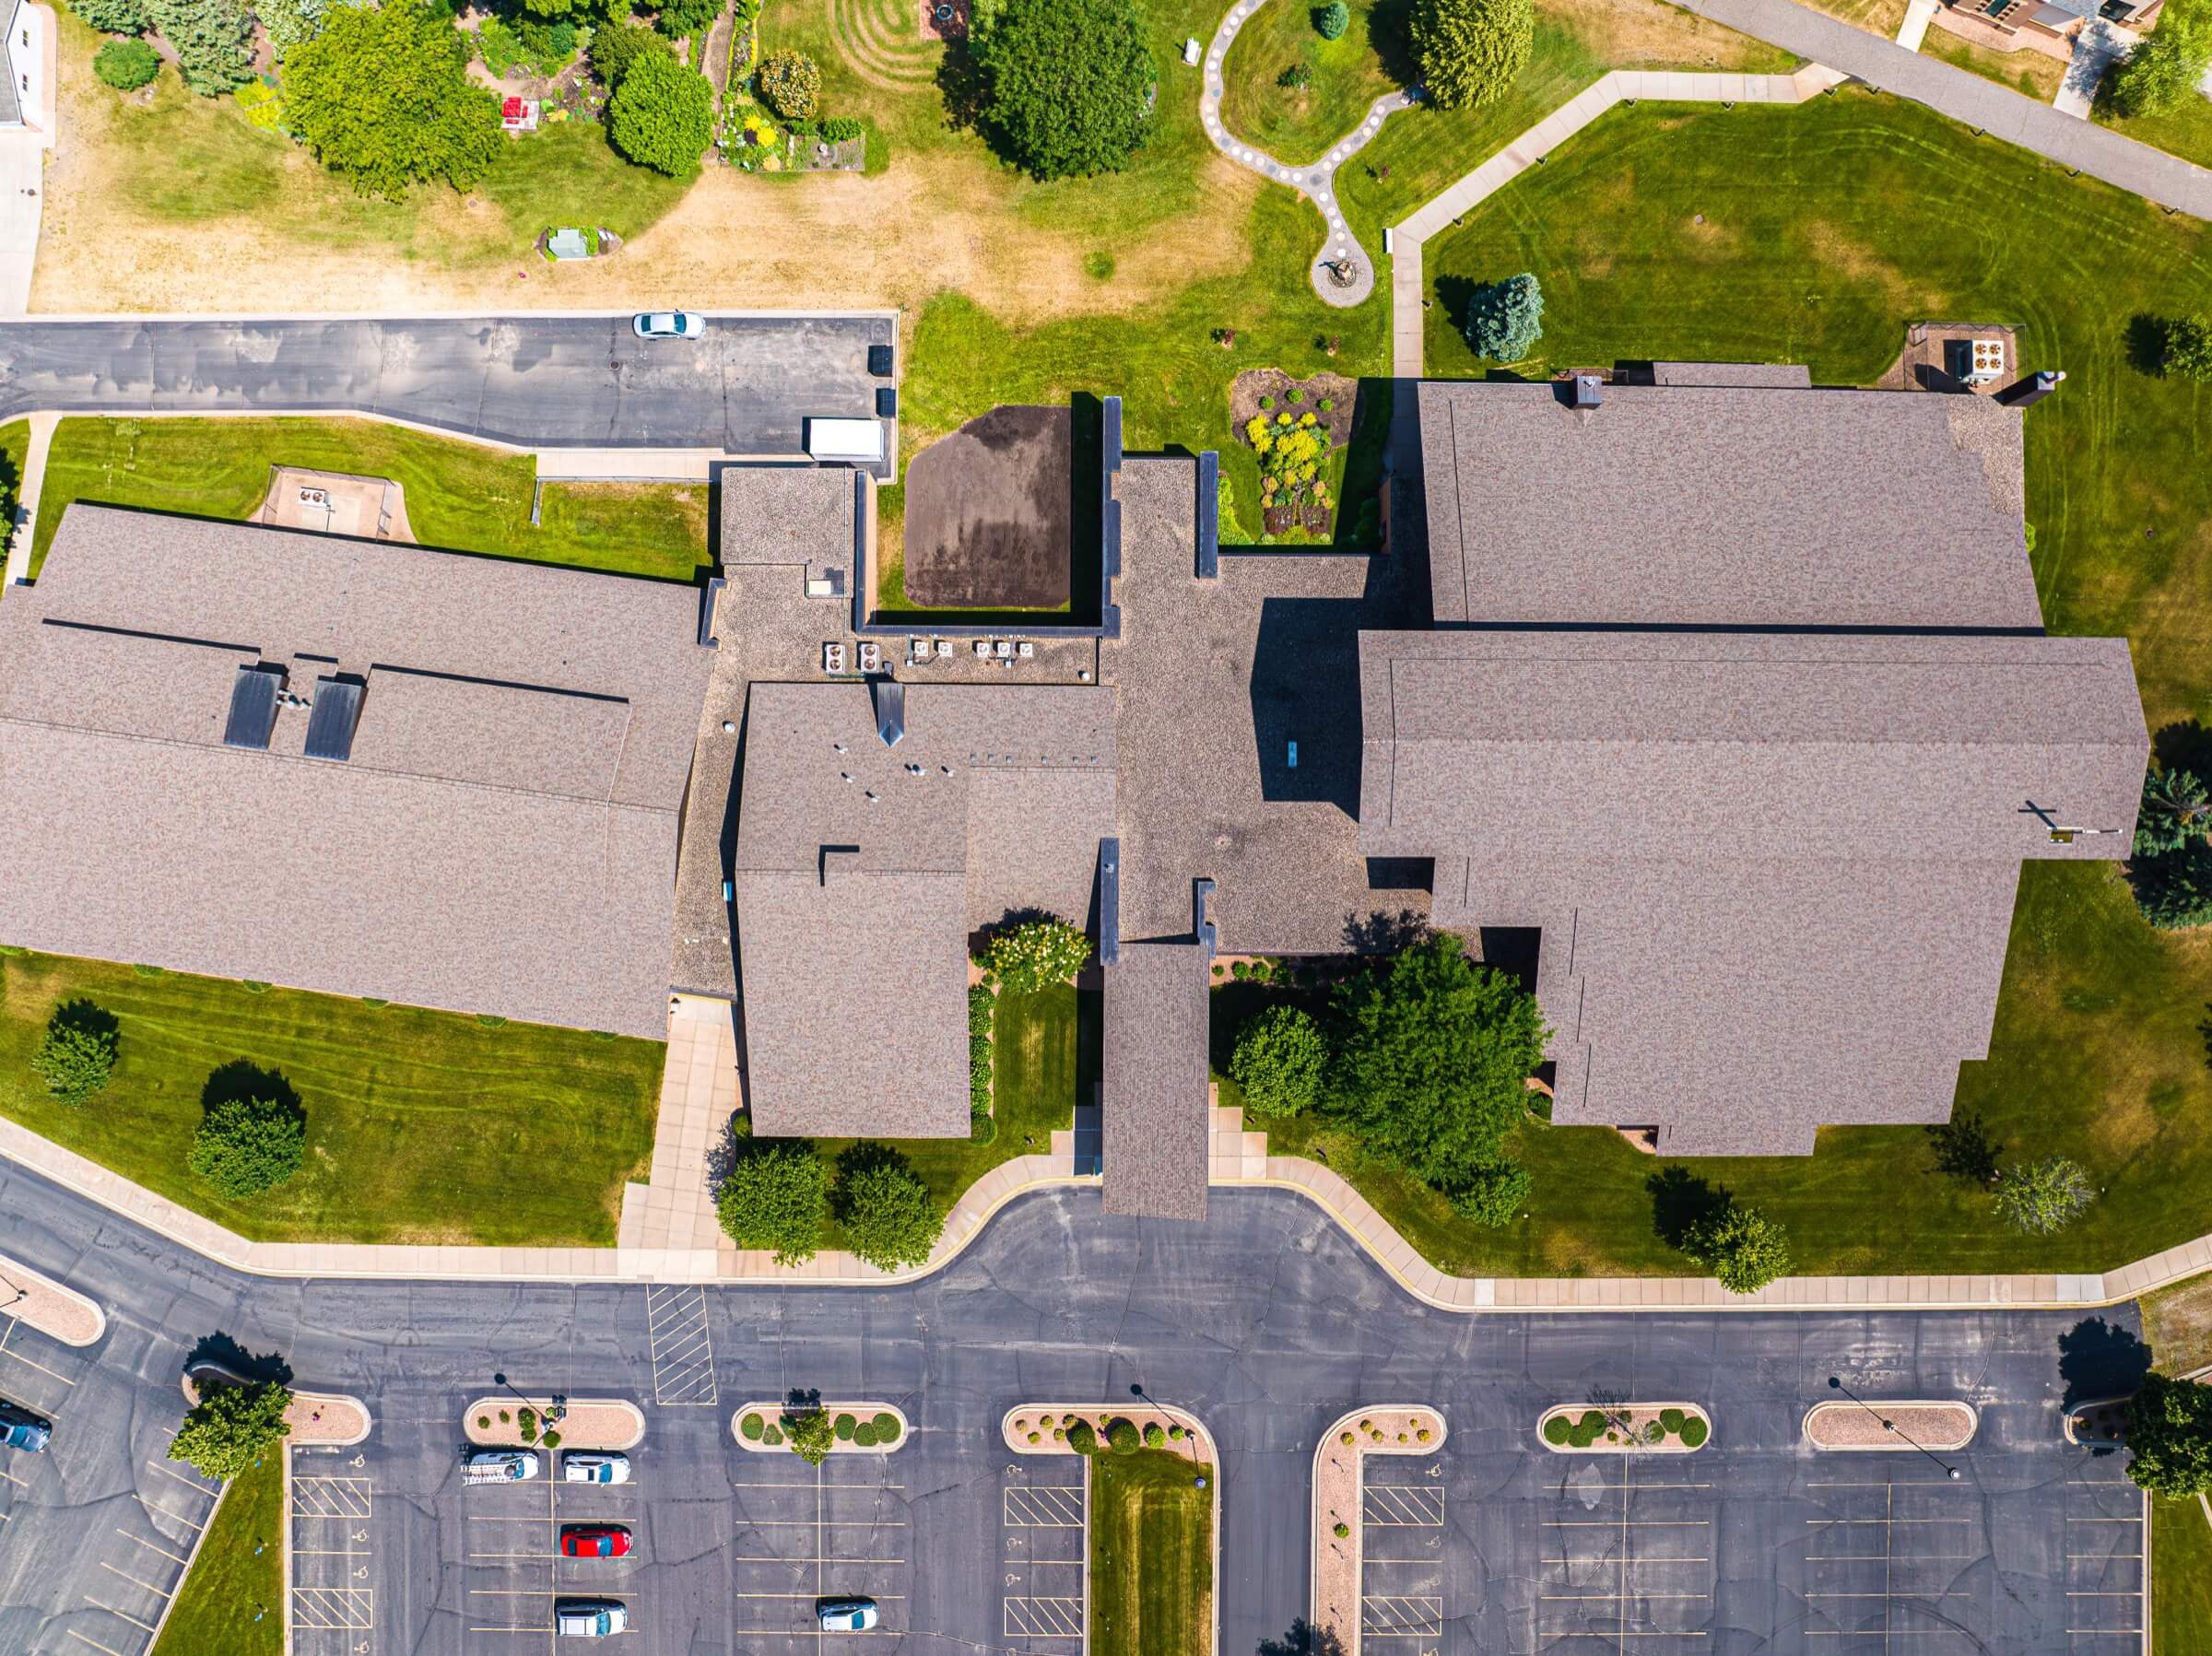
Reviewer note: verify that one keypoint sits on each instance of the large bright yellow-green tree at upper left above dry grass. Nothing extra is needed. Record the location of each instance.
(384, 101)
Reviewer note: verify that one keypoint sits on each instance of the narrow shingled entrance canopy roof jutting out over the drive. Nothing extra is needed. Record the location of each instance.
(1154, 1102)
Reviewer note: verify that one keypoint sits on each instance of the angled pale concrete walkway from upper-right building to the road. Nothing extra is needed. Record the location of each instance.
(1410, 289)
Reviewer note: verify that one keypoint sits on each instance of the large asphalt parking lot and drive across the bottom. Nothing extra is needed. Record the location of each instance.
(1264, 1321)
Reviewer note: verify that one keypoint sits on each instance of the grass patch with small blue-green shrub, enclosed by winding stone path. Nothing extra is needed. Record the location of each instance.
(1348, 76)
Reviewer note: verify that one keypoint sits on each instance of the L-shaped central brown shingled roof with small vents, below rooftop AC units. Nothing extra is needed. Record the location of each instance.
(864, 868)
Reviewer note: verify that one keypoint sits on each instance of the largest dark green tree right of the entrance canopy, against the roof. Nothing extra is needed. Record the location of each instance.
(1432, 1060)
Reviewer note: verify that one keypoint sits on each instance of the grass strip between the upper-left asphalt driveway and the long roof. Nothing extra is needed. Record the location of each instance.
(459, 494)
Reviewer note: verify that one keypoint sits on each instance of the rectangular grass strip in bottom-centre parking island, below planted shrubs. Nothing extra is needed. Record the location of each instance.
(1151, 1555)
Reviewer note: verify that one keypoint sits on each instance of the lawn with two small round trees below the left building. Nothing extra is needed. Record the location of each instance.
(421, 1126)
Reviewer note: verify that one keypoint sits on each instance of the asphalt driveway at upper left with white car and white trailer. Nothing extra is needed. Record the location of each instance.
(534, 381)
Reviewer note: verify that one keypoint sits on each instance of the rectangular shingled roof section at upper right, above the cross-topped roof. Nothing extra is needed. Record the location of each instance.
(1676, 505)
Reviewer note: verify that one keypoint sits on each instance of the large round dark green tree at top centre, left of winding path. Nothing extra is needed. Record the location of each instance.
(1070, 85)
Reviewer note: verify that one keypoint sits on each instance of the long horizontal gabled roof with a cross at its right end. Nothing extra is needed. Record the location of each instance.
(1746, 746)
